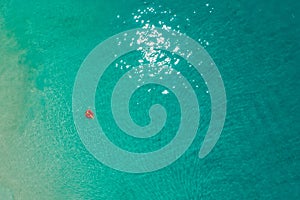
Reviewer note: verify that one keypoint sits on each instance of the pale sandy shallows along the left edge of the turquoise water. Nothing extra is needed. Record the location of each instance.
(23, 173)
